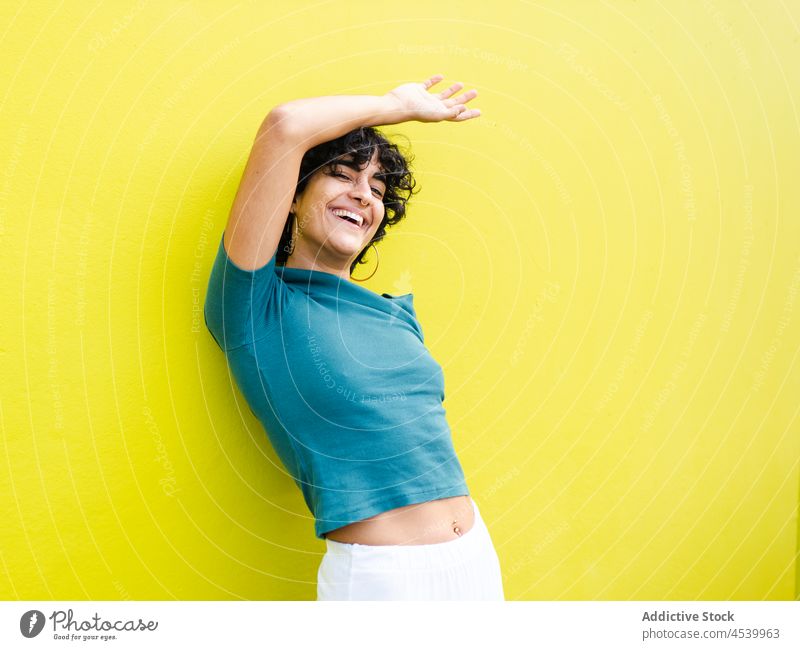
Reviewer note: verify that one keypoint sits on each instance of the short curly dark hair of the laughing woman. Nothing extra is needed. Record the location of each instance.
(362, 144)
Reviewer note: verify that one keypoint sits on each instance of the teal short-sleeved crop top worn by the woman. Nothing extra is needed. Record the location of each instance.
(343, 384)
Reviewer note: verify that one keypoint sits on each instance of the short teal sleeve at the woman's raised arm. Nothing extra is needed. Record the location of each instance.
(238, 301)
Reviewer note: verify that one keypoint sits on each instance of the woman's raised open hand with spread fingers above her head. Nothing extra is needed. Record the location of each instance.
(424, 106)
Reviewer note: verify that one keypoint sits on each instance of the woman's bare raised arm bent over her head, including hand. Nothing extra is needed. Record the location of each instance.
(268, 183)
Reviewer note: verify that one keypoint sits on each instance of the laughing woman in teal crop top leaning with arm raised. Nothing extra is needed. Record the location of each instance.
(339, 376)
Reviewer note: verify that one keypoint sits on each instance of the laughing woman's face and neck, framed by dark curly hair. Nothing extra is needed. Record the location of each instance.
(328, 241)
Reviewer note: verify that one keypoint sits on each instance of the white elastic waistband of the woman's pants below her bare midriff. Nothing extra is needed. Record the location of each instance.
(473, 540)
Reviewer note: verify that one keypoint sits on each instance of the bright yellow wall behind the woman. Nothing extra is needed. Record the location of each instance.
(606, 263)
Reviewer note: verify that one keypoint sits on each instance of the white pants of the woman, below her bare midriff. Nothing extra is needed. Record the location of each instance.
(465, 568)
